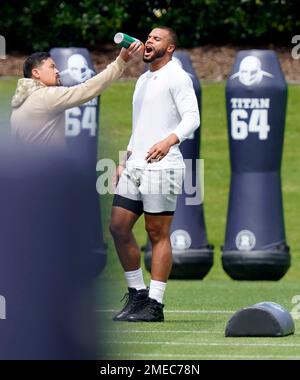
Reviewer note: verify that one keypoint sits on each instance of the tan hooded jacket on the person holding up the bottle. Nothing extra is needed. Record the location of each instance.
(38, 115)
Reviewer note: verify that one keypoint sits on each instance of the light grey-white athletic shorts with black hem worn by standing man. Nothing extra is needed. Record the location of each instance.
(149, 191)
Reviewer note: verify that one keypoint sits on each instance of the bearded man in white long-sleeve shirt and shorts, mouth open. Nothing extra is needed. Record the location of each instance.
(165, 112)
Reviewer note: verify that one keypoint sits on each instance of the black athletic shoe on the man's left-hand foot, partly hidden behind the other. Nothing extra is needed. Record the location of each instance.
(134, 302)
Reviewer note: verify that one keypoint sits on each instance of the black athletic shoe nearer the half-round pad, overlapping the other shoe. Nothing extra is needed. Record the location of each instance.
(151, 312)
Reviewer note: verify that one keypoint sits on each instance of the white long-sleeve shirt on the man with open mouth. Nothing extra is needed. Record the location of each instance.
(164, 102)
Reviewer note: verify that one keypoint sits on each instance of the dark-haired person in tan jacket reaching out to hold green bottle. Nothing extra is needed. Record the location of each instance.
(39, 104)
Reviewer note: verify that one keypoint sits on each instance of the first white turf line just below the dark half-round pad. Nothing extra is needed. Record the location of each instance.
(207, 343)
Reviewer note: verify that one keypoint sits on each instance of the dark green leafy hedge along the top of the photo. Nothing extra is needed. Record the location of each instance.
(40, 24)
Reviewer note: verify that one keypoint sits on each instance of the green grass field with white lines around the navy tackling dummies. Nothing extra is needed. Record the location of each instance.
(196, 312)
